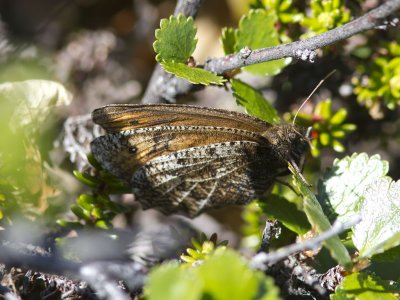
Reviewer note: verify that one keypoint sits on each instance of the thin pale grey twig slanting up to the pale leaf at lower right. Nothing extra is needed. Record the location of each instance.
(261, 260)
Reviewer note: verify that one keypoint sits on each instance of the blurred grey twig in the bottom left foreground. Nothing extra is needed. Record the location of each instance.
(102, 277)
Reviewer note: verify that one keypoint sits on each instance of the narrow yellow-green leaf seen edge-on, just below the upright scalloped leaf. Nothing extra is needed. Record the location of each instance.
(193, 75)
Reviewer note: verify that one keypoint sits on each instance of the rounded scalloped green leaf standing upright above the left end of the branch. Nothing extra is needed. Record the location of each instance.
(175, 39)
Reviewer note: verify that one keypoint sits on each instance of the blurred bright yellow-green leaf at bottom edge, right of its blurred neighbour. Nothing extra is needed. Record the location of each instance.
(226, 276)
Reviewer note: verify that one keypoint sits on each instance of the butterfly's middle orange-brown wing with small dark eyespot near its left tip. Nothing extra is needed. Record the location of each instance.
(122, 153)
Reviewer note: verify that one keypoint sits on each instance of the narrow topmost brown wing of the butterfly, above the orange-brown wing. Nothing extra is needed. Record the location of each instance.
(119, 117)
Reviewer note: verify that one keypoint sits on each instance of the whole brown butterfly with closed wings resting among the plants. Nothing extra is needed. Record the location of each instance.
(187, 159)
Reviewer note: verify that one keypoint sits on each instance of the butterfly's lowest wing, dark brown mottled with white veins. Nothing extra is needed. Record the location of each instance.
(191, 180)
